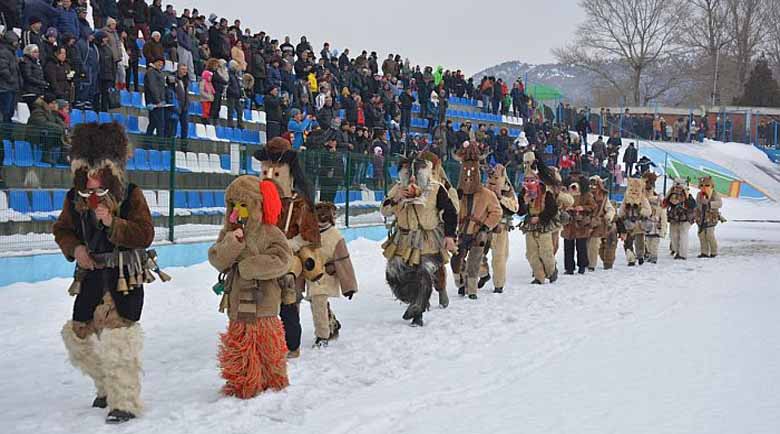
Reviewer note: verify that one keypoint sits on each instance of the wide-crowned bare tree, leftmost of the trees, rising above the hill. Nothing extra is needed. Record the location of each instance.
(621, 40)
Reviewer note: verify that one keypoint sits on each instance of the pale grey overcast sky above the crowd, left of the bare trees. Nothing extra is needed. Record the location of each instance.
(457, 34)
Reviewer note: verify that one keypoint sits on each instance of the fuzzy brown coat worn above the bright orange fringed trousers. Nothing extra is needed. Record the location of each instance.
(253, 268)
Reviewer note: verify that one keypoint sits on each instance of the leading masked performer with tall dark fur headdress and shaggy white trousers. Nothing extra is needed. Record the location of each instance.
(105, 225)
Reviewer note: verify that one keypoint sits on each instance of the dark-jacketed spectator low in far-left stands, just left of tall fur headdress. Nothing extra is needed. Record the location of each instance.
(45, 127)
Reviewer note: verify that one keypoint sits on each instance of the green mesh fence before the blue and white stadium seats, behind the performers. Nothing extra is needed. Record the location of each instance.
(183, 182)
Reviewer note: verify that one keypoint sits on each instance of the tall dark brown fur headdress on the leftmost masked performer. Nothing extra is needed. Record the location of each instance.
(100, 150)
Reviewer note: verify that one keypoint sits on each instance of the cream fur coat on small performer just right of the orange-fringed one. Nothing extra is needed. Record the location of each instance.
(339, 277)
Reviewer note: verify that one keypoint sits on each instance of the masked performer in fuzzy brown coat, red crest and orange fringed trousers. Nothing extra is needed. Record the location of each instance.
(252, 353)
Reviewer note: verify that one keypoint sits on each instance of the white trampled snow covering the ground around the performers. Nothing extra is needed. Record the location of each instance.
(679, 347)
